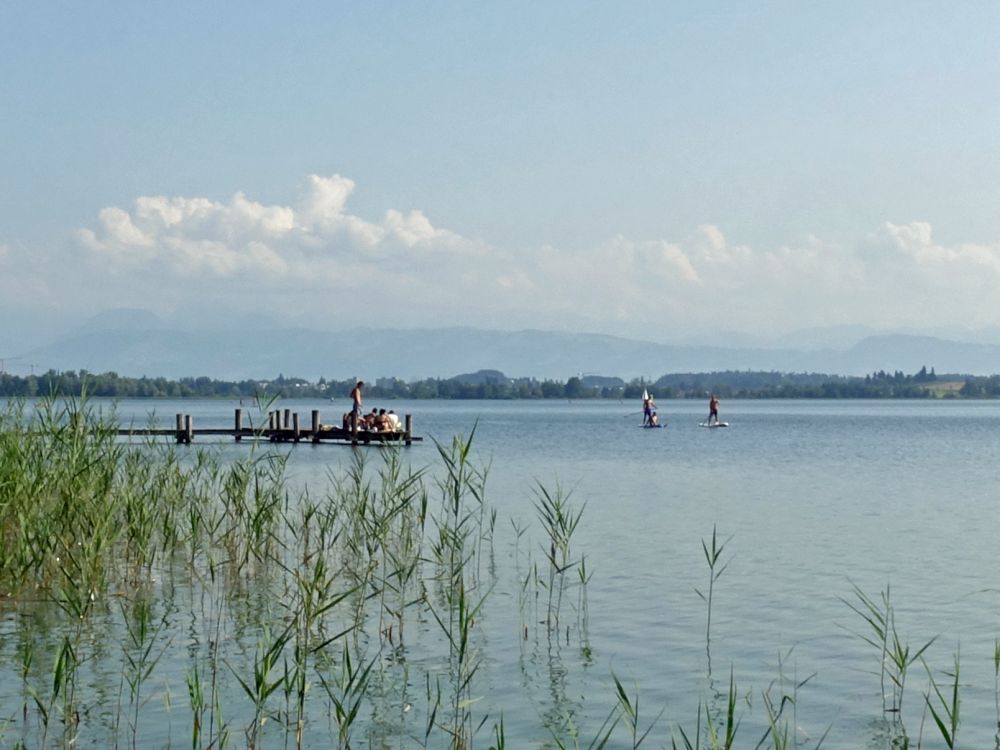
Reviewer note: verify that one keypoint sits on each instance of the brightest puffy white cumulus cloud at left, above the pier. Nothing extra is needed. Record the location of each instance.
(244, 238)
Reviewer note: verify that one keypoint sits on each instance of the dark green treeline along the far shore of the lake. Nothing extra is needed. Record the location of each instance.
(493, 385)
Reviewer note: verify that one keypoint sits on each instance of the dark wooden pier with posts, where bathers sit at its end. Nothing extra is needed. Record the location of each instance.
(282, 426)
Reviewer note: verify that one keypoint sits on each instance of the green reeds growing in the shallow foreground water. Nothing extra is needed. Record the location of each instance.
(163, 597)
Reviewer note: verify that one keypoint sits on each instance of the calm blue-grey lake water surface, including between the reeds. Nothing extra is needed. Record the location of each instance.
(813, 498)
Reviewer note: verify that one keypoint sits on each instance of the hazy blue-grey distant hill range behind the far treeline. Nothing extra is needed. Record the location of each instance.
(422, 353)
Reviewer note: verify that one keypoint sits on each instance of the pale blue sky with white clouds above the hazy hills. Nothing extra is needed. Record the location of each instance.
(669, 171)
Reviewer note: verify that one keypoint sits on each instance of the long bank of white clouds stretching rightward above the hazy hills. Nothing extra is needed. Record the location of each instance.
(314, 254)
